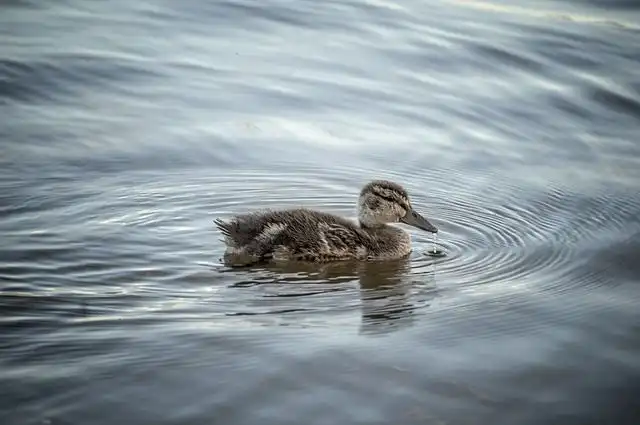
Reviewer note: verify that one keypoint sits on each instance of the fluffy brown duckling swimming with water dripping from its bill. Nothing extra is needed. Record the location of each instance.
(315, 236)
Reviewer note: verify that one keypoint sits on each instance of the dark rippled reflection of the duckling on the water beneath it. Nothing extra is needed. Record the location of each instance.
(385, 287)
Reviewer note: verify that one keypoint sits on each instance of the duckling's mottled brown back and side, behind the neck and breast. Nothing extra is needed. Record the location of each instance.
(294, 234)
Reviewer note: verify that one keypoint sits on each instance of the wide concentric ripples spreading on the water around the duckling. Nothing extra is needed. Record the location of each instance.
(498, 237)
